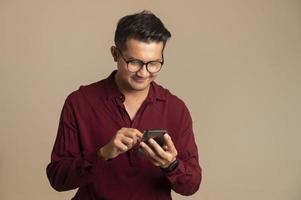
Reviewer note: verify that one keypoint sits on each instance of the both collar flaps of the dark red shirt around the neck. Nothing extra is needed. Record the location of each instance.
(155, 91)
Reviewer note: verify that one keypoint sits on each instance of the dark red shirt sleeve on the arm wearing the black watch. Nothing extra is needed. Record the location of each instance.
(186, 178)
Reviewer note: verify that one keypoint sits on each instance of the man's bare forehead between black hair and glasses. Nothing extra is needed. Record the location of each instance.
(144, 50)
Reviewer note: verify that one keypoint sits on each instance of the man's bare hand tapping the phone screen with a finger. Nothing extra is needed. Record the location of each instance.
(124, 140)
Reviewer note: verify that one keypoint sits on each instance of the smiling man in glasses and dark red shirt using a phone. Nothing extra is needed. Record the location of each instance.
(99, 147)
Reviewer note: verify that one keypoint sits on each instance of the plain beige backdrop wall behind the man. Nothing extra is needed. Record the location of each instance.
(235, 63)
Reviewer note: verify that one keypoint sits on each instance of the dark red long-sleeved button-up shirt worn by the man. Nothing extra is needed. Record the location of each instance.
(90, 118)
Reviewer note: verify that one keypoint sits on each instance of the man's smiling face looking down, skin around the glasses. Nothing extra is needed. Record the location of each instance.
(137, 50)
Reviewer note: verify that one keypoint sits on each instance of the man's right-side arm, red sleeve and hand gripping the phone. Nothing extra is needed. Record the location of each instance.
(186, 178)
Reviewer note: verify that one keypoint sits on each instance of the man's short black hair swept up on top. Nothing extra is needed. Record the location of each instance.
(144, 26)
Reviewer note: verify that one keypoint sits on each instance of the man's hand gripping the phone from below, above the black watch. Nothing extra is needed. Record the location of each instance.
(160, 157)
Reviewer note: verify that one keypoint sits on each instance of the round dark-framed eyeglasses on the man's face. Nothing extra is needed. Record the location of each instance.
(134, 65)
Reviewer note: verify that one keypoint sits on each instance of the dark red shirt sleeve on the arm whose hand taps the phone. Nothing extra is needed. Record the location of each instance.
(70, 168)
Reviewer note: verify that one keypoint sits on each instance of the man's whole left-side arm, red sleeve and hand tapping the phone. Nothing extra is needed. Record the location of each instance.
(71, 167)
